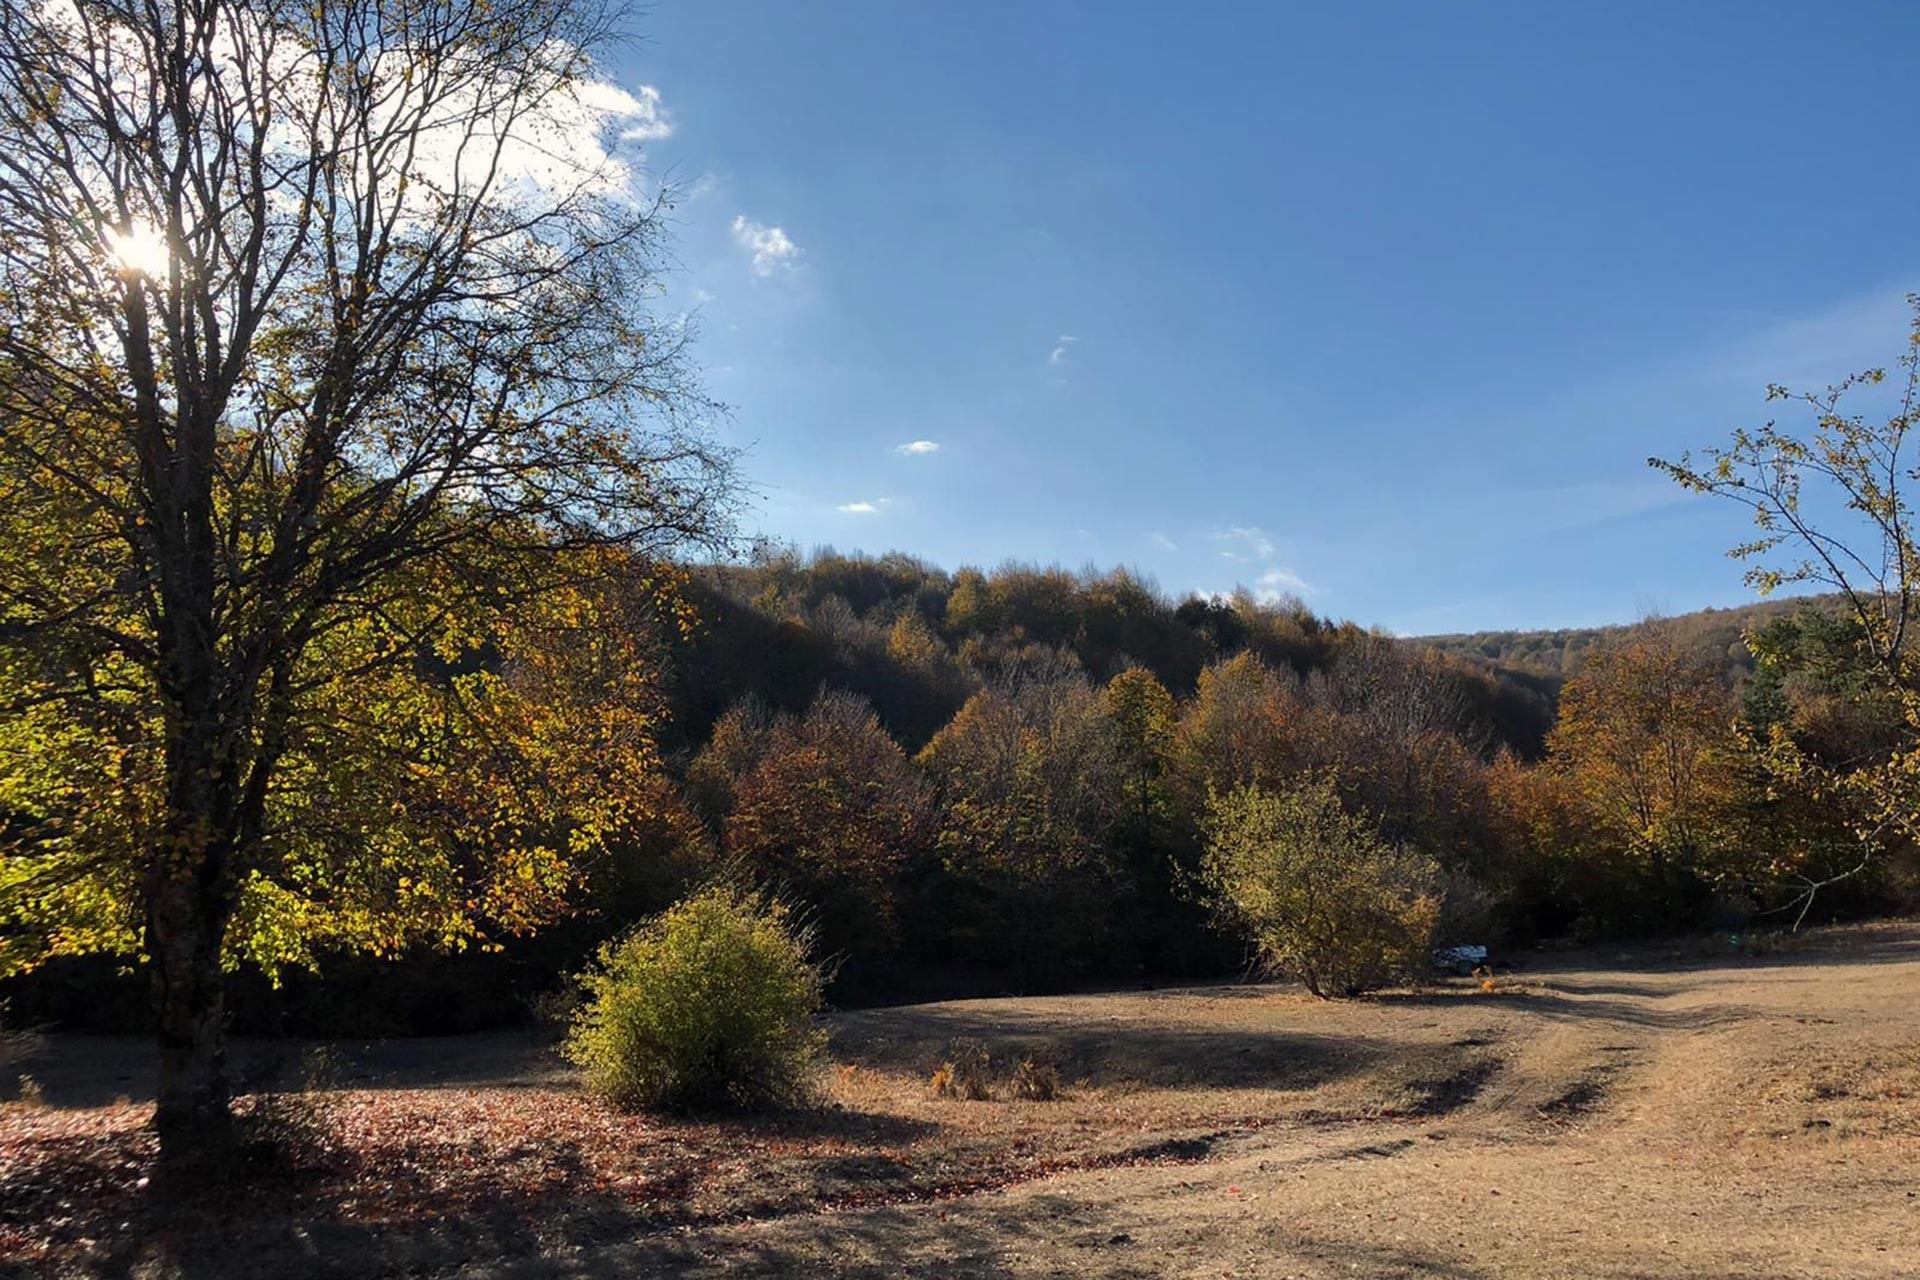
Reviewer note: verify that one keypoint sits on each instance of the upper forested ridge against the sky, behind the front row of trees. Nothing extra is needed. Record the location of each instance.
(917, 642)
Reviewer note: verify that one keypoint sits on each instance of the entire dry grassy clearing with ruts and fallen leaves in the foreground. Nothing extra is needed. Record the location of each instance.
(1620, 1114)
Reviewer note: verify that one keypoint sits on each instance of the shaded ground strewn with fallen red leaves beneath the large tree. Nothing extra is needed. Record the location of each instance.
(302, 1204)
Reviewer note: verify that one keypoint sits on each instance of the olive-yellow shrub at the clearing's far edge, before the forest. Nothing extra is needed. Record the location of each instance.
(1322, 895)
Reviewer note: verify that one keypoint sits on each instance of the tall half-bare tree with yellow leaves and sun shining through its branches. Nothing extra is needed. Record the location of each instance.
(331, 414)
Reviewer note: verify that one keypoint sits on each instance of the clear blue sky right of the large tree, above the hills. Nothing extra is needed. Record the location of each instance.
(1385, 304)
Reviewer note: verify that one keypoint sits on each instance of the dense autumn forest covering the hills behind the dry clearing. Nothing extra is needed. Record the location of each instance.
(1001, 782)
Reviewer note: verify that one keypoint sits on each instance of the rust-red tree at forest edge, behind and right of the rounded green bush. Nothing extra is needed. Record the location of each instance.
(830, 815)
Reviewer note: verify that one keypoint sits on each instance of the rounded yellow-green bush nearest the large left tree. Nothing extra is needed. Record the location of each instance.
(709, 1005)
